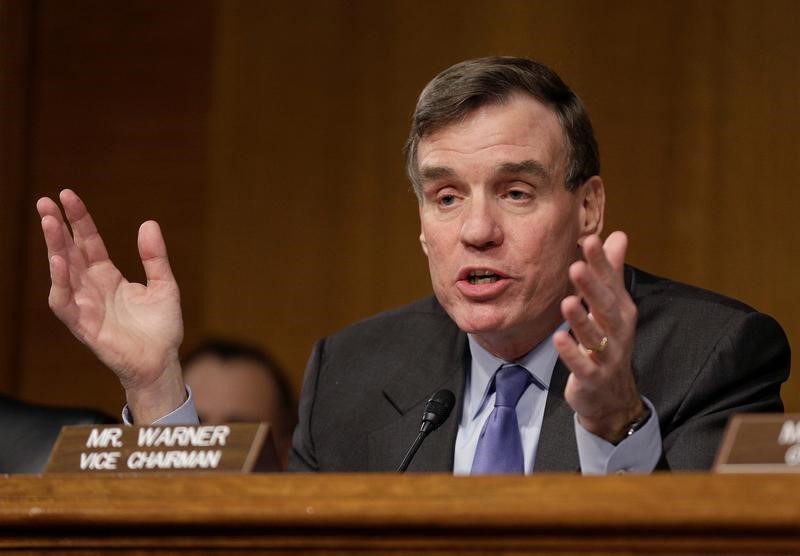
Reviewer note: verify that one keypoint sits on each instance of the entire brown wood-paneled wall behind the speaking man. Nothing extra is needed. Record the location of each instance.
(266, 139)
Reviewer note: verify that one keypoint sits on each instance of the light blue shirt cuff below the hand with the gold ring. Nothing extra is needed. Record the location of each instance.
(638, 453)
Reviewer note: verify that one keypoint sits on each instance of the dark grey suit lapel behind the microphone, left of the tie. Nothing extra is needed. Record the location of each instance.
(441, 364)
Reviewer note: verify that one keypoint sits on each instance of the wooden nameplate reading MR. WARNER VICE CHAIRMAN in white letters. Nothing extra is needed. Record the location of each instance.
(241, 447)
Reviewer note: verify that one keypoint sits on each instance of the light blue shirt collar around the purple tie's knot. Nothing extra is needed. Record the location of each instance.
(539, 361)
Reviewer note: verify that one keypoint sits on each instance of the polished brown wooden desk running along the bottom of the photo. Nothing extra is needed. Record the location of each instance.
(436, 514)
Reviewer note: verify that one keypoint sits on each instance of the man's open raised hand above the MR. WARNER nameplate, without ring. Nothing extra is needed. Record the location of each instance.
(134, 329)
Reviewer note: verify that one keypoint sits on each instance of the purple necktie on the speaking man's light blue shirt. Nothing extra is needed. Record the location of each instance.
(500, 446)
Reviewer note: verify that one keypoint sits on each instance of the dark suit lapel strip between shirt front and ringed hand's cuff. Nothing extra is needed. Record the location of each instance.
(558, 449)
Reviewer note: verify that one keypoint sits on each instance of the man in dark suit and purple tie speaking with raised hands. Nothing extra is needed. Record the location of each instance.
(561, 357)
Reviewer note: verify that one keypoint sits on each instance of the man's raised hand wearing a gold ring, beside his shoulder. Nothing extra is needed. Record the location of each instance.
(601, 388)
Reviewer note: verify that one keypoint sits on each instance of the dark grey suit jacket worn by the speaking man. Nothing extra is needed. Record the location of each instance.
(699, 357)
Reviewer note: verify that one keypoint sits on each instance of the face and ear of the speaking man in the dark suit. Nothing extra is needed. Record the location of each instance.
(499, 227)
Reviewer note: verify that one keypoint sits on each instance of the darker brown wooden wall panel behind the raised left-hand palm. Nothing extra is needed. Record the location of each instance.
(121, 101)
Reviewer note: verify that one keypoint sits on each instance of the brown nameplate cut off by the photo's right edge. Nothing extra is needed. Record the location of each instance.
(760, 443)
